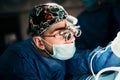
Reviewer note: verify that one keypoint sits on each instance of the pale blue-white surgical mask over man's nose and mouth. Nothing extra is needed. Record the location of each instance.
(62, 51)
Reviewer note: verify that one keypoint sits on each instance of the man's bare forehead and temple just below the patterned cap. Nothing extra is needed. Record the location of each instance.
(57, 26)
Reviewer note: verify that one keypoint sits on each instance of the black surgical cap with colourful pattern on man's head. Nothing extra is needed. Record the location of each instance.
(43, 16)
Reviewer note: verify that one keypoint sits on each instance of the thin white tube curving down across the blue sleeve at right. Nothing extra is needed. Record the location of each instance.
(91, 61)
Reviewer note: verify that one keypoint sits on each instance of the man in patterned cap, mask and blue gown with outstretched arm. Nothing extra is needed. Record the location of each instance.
(45, 55)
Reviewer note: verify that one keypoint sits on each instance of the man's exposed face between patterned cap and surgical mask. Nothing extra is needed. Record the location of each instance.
(58, 34)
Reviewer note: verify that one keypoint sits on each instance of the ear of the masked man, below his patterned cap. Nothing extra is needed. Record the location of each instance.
(38, 42)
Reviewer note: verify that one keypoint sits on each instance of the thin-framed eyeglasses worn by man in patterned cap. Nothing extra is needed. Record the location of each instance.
(66, 34)
